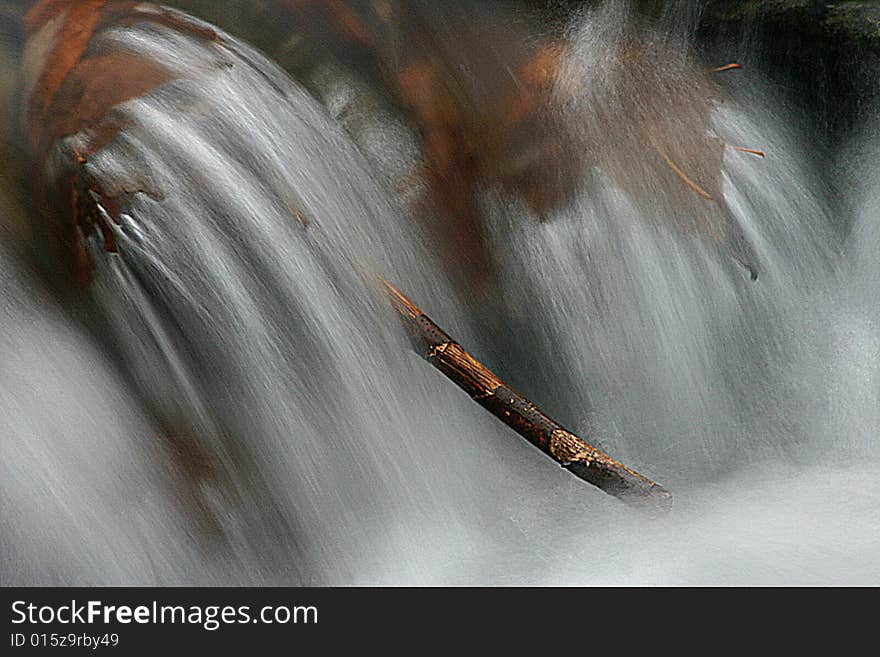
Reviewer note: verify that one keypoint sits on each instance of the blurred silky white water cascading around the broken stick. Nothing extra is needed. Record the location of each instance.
(242, 408)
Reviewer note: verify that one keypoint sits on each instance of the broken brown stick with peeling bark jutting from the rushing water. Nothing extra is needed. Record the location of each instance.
(573, 453)
